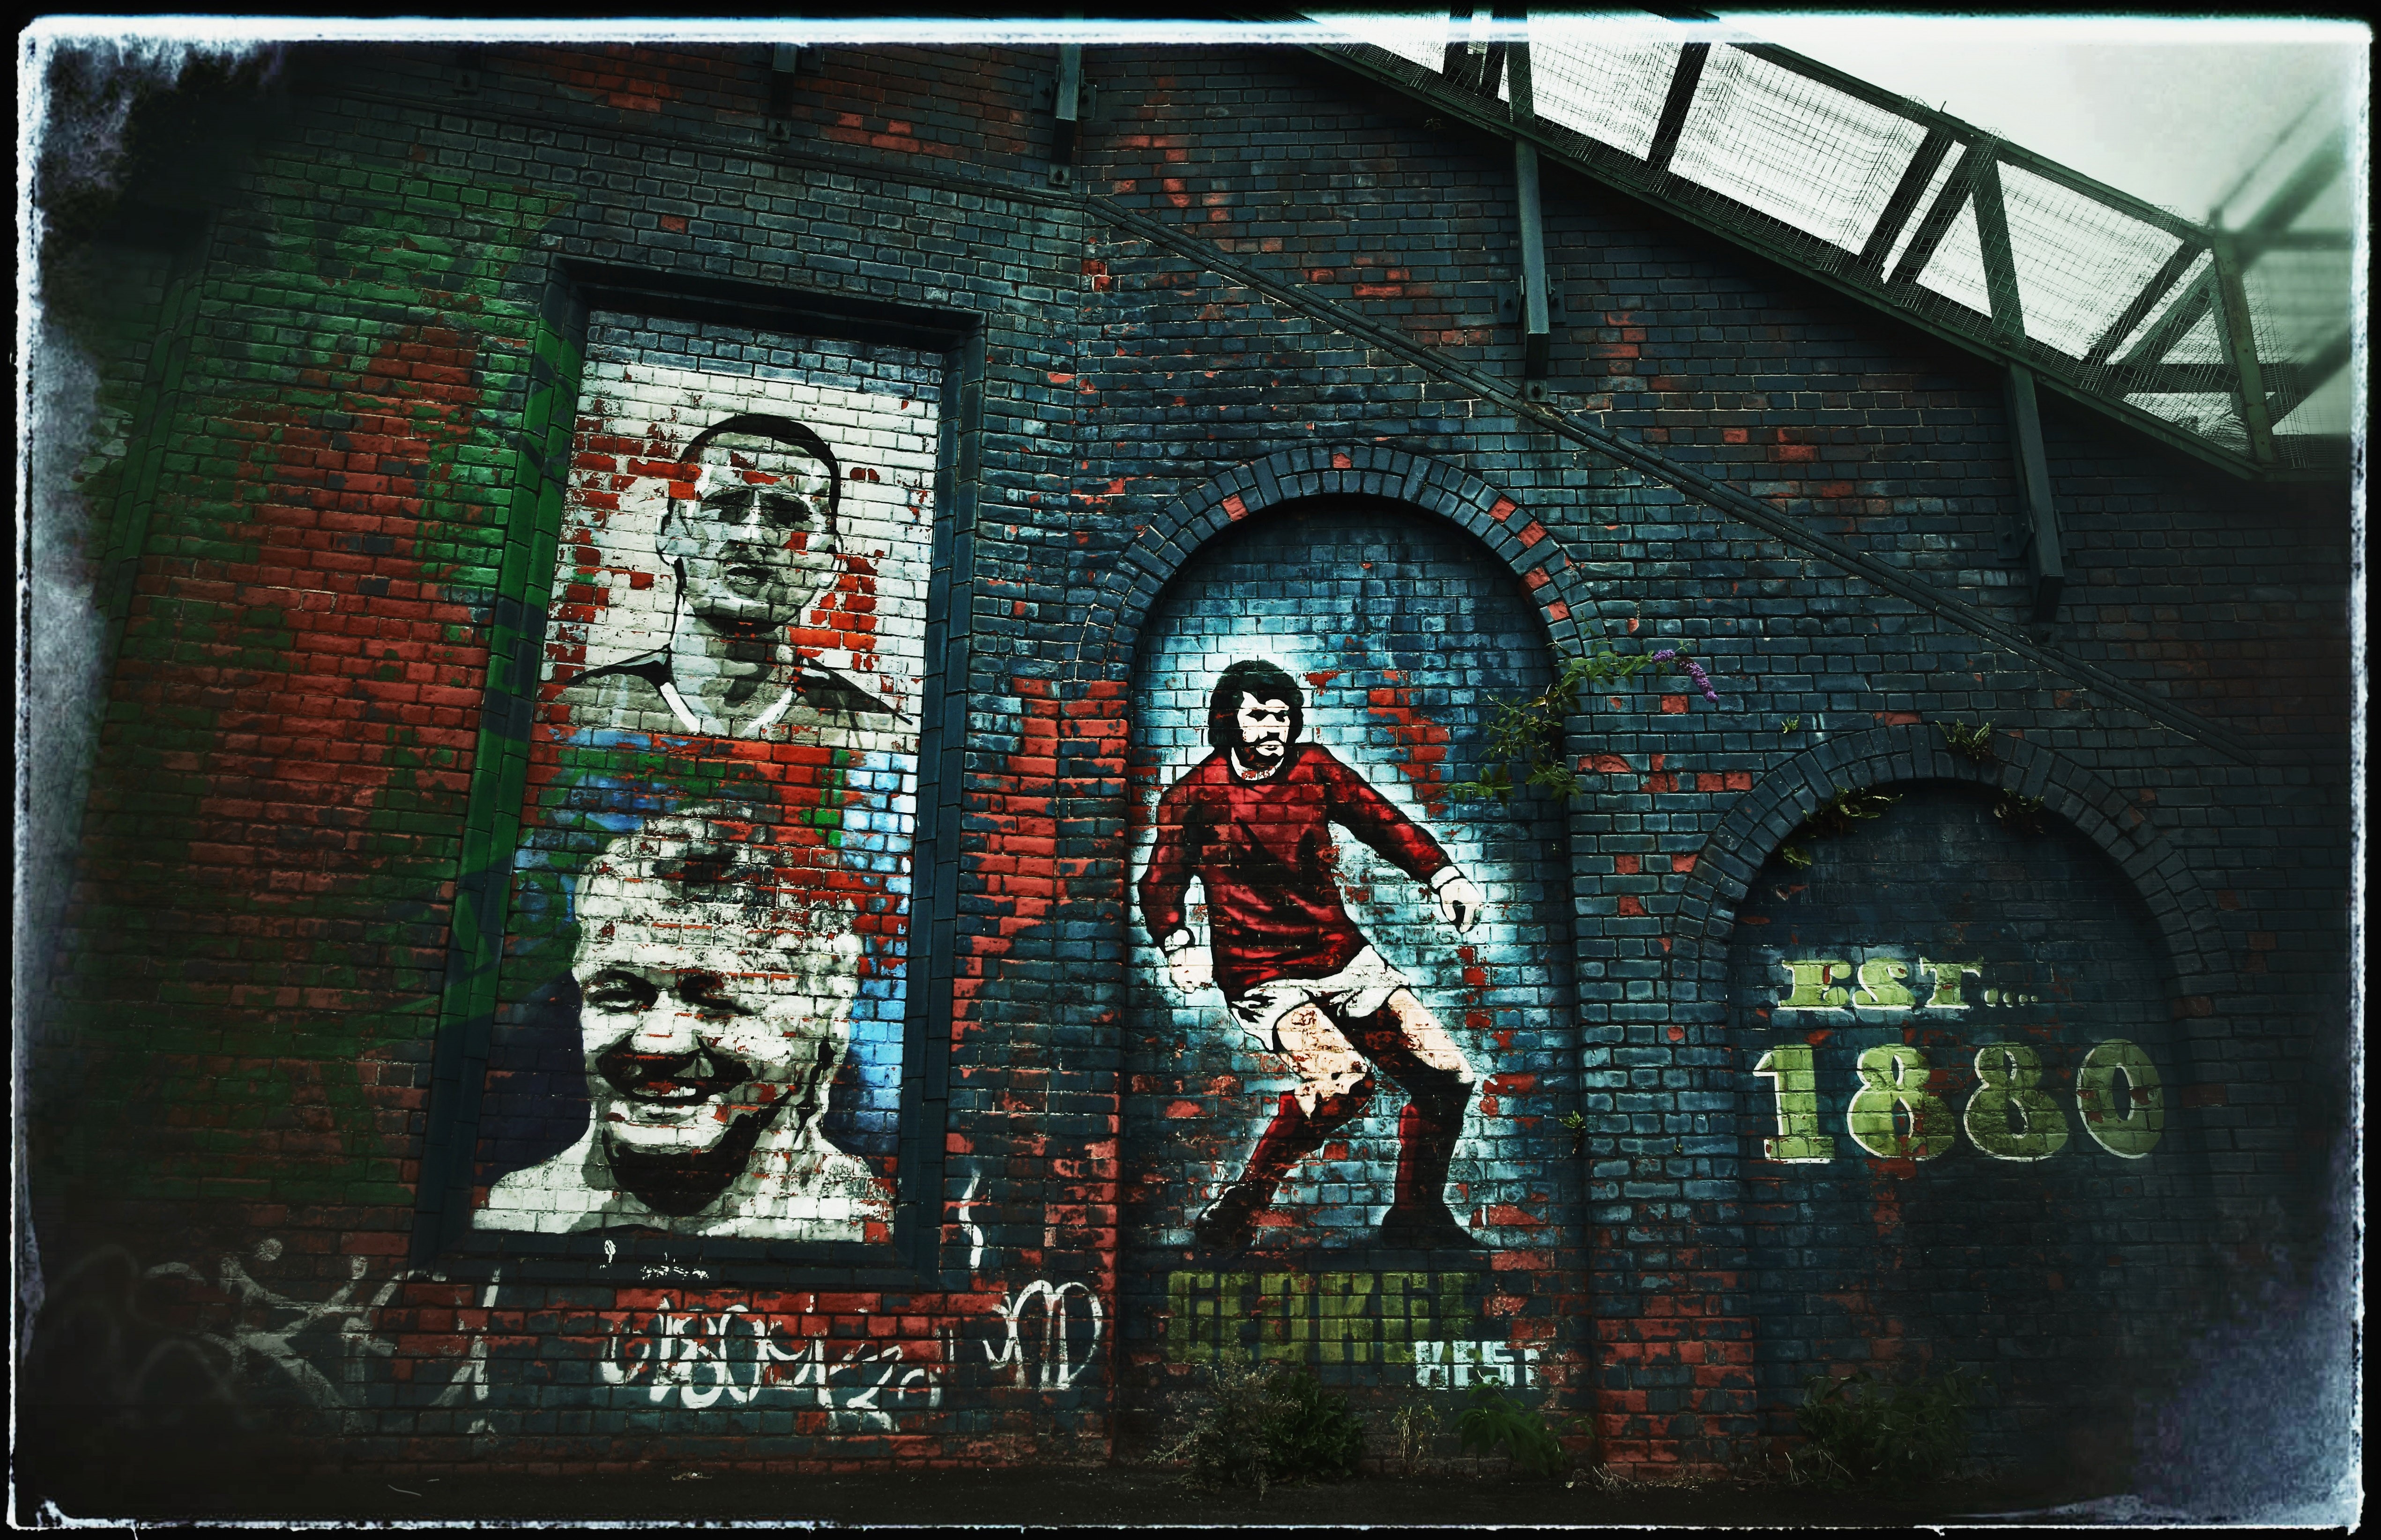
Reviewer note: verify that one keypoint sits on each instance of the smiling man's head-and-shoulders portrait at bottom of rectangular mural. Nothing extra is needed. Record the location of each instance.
(713, 1013)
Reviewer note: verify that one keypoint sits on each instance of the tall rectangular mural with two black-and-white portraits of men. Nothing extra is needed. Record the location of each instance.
(711, 906)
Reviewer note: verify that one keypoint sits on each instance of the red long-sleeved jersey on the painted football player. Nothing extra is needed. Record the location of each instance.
(1266, 856)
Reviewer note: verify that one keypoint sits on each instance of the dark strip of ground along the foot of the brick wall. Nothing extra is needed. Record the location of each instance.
(1111, 1496)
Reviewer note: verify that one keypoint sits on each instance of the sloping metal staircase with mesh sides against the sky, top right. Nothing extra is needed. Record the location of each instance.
(2225, 342)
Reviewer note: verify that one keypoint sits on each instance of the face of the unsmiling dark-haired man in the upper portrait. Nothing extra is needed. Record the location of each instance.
(756, 541)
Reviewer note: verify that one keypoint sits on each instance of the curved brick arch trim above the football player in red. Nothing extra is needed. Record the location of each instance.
(1104, 649)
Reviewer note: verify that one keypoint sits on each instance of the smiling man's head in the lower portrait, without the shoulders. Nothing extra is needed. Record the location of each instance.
(713, 1006)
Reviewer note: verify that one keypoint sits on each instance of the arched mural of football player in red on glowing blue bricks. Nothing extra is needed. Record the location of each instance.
(1354, 989)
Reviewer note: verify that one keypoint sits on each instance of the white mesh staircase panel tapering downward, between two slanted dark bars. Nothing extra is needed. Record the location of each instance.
(2077, 261)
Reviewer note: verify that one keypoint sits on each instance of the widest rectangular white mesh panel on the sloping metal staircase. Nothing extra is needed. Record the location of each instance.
(1799, 151)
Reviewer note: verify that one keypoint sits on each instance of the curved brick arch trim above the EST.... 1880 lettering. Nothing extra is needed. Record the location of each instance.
(1763, 818)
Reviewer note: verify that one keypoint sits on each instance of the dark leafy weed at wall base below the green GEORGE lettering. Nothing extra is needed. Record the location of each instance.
(1261, 1425)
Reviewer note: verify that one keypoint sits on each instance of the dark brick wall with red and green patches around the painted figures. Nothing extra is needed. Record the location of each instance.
(282, 994)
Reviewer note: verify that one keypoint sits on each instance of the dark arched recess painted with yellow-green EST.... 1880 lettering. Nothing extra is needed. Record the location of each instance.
(1956, 1051)
